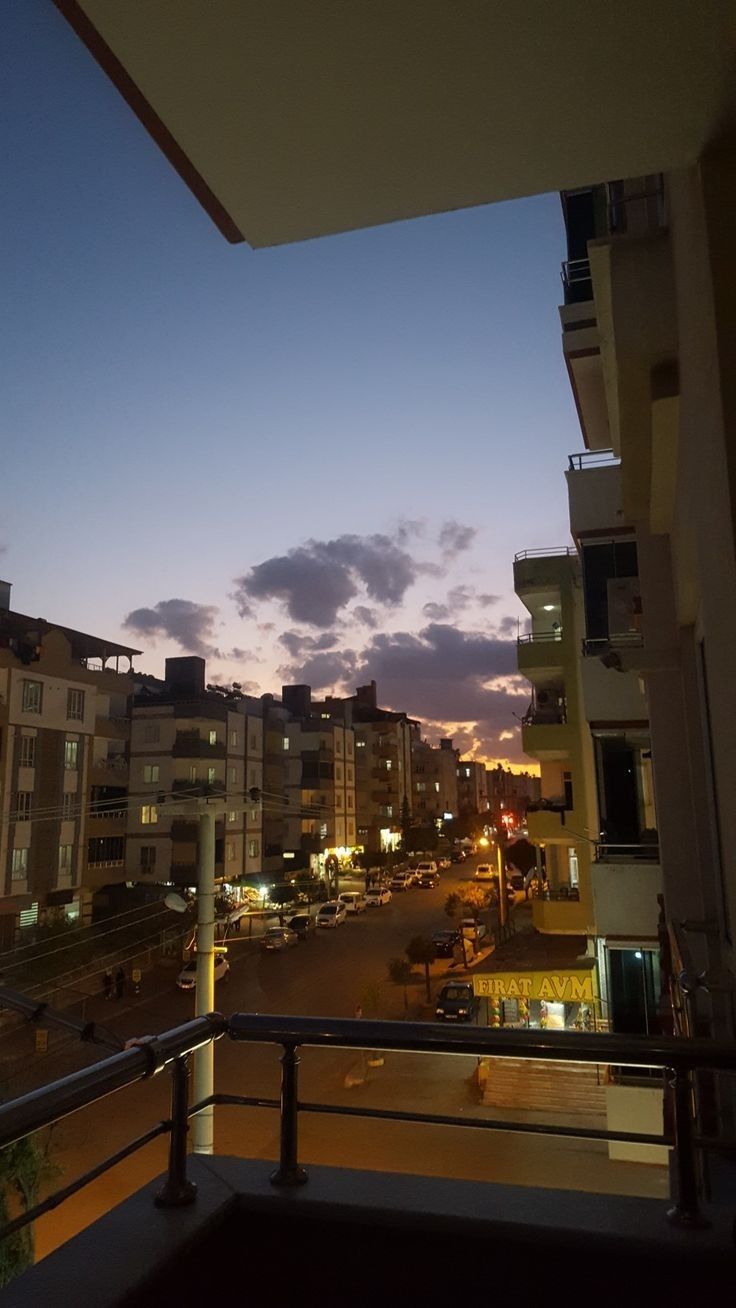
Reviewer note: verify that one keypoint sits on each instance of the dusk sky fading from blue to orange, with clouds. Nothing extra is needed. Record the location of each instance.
(307, 464)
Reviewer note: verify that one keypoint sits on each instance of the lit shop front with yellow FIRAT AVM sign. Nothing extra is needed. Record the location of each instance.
(551, 1000)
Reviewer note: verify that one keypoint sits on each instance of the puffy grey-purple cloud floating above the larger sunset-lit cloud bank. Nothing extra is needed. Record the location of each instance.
(317, 581)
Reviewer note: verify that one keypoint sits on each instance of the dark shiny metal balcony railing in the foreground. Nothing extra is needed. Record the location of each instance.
(679, 1059)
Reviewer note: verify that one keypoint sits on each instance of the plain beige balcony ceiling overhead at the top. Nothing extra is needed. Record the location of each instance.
(299, 121)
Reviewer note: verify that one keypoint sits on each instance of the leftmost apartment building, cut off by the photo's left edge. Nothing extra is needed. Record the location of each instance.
(63, 768)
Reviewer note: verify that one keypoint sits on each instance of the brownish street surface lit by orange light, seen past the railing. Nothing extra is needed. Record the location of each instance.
(329, 975)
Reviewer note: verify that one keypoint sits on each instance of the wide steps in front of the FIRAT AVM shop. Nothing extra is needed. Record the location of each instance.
(563, 1088)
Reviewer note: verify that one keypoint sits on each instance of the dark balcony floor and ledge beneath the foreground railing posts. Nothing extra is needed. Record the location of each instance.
(346, 1237)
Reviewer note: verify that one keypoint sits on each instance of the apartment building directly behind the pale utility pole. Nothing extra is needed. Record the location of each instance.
(189, 741)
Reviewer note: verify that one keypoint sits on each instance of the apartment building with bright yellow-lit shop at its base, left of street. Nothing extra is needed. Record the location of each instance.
(322, 788)
